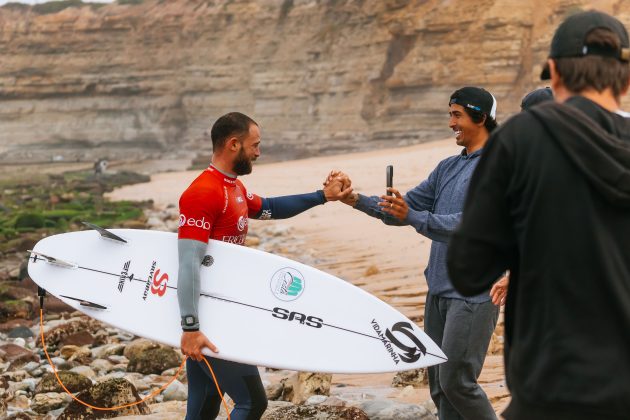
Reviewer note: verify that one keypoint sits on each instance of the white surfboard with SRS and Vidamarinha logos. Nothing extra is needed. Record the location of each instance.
(257, 308)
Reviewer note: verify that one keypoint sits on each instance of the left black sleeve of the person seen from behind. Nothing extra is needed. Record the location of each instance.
(482, 247)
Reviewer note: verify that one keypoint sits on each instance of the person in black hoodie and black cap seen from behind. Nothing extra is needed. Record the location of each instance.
(550, 201)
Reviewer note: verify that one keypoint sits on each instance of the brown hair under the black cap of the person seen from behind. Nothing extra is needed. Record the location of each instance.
(597, 72)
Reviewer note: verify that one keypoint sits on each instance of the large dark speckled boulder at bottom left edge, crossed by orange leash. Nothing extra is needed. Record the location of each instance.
(111, 393)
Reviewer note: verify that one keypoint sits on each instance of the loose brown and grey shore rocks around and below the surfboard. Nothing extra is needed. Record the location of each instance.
(106, 367)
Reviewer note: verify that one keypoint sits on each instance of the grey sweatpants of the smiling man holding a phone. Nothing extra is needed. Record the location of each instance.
(463, 331)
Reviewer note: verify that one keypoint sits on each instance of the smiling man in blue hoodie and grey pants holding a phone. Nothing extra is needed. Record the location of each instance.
(462, 327)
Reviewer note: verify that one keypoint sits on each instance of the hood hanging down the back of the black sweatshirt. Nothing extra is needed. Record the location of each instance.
(595, 140)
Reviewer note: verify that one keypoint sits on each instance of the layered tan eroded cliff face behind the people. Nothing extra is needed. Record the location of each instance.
(145, 80)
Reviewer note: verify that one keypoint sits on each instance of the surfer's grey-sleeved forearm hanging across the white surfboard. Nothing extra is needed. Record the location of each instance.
(191, 253)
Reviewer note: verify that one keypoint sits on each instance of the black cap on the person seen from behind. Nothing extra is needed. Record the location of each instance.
(569, 38)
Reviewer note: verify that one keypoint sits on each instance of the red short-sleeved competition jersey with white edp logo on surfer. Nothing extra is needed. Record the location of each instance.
(216, 206)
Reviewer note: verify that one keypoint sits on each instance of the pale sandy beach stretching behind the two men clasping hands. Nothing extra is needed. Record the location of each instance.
(386, 261)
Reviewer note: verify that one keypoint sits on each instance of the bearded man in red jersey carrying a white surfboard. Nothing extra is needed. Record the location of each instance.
(218, 206)
